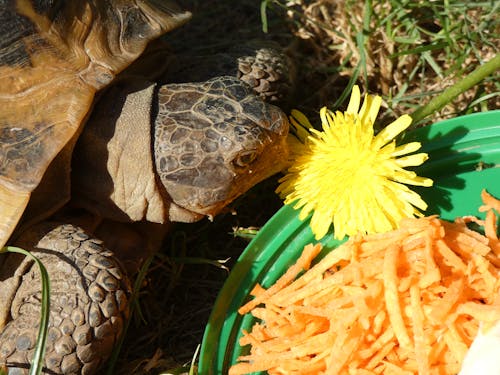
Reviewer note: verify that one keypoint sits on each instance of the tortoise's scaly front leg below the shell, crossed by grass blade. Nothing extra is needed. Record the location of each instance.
(89, 301)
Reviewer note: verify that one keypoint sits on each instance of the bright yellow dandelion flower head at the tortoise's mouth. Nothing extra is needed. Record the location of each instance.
(353, 178)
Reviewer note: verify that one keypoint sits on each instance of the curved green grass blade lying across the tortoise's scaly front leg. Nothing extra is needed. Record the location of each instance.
(37, 362)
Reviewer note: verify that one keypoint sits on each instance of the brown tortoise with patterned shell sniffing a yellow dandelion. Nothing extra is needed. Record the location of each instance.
(95, 164)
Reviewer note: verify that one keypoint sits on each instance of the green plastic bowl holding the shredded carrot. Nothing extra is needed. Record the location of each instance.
(464, 158)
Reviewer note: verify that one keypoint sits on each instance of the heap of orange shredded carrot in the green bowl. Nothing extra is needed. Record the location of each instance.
(409, 301)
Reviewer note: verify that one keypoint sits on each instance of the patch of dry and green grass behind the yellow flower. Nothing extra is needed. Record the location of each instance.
(402, 50)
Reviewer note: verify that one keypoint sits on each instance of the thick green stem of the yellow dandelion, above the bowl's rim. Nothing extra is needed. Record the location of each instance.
(452, 92)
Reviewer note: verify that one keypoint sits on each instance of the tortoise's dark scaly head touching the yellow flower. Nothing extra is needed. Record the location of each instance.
(215, 140)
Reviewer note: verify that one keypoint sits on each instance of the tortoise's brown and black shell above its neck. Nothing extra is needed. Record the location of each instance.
(54, 56)
